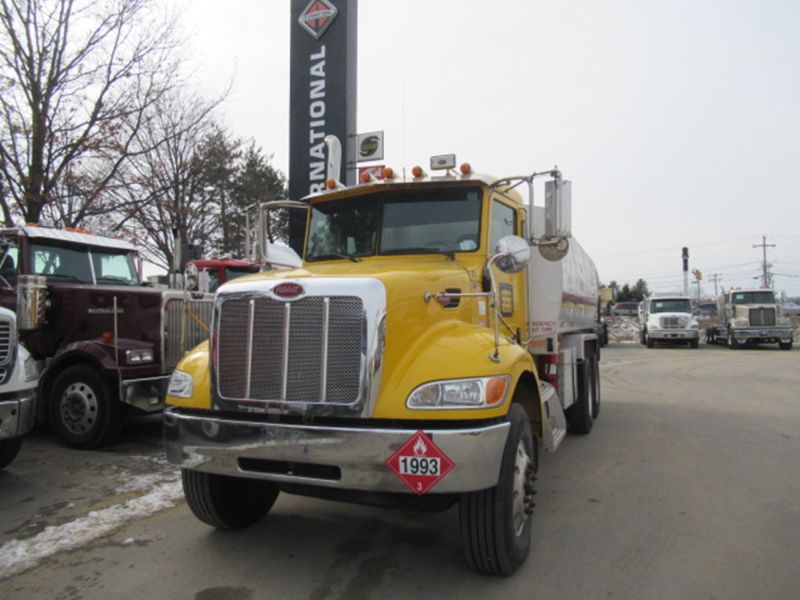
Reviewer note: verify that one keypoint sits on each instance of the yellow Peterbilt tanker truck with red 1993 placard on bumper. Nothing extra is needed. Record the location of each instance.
(417, 355)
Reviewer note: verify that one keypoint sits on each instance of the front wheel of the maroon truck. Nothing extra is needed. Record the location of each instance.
(82, 411)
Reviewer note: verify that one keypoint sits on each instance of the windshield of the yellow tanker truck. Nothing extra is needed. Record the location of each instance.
(418, 222)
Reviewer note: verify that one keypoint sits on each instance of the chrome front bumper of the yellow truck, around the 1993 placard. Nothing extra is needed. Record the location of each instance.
(347, 458)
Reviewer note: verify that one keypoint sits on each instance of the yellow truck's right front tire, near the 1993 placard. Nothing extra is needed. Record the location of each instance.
(496, 523)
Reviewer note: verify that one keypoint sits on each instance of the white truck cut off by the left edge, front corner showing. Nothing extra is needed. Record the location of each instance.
(19, 375)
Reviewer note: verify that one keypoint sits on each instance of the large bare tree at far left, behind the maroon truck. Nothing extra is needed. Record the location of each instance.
(78, 81)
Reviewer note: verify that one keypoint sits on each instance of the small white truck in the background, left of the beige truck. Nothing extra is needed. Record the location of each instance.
(668, 319)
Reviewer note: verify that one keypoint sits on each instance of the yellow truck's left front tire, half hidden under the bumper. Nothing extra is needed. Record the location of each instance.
(227, 502)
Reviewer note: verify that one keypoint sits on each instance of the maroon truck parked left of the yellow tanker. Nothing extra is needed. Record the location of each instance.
(108, 343)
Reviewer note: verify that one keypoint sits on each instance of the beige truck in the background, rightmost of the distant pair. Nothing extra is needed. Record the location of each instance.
(751, 316)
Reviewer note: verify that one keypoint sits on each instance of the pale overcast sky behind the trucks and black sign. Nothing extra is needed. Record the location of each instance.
(678, 122)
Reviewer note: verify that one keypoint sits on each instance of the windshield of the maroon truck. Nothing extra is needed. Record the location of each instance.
(74, 265)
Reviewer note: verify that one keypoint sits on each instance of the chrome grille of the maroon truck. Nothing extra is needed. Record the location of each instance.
(184, 329)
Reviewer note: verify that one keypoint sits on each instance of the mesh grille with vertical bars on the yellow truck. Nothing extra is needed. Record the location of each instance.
(320, 360)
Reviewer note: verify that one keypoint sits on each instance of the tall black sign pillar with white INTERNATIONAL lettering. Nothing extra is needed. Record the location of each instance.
(322, 95)
